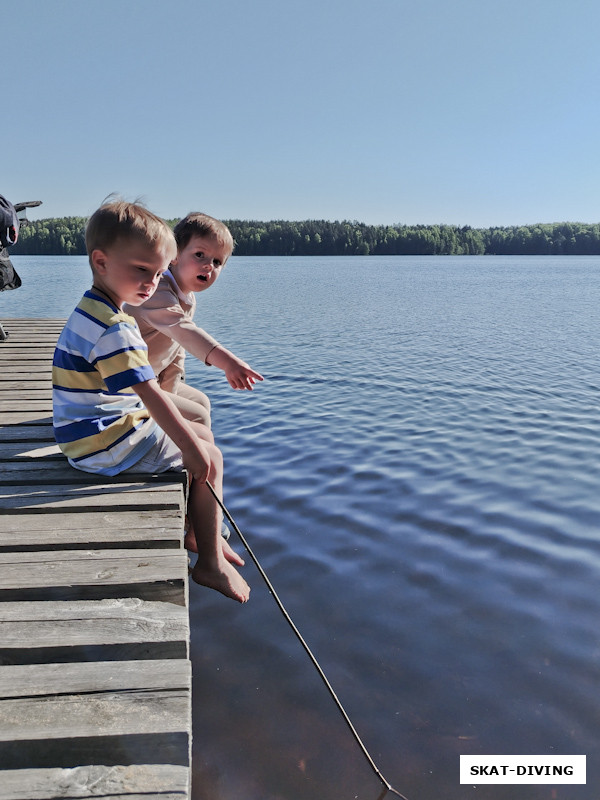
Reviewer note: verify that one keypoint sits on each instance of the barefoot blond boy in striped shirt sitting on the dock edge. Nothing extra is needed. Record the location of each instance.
(110, 416)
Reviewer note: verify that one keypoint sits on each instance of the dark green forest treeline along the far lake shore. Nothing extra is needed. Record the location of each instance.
(65, 236)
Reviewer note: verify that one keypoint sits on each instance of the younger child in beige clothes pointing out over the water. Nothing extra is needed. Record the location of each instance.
(166, 320)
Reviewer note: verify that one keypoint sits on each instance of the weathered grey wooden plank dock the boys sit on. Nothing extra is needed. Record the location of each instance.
(95, 677)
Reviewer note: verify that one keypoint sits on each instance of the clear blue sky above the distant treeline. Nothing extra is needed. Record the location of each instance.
(470, 112)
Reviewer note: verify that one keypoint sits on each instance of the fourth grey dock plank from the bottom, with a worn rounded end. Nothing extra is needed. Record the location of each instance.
(80, 623)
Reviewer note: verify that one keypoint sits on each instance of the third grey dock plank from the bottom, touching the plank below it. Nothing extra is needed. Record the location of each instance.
(37, 680)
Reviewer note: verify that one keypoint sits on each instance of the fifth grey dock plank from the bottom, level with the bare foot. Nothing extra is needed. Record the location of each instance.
(91, 567)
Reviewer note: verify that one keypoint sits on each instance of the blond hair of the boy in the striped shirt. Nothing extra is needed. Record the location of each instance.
(119, 220)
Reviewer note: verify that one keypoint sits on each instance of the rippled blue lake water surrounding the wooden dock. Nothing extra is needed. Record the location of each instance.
(418, 475)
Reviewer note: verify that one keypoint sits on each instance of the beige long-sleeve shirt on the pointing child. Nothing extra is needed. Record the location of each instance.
(167, 325)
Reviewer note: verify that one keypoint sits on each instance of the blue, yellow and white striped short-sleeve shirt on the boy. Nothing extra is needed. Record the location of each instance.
(100, 423)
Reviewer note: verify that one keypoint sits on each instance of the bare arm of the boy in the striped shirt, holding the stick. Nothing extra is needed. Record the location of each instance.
(196, 458)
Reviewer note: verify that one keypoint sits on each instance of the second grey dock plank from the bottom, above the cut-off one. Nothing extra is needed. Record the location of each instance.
(105, 714)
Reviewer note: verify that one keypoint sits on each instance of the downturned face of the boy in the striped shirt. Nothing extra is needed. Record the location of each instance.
(128, 272)
